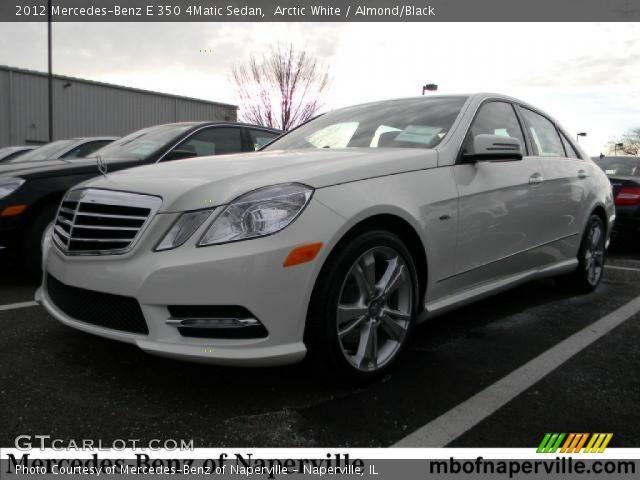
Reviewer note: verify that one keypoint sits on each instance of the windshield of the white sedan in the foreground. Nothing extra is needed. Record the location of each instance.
(408, 123)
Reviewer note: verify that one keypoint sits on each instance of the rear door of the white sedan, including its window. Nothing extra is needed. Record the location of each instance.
(562, 191)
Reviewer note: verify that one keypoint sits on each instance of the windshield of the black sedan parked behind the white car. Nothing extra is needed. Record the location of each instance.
(143, 143)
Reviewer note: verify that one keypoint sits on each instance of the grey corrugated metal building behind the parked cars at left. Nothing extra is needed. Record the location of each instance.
(87, 108)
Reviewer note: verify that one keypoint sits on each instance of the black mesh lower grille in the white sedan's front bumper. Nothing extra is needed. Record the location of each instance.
(101, 309)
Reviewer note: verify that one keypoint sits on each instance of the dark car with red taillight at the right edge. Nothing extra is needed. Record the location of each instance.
(624, 174)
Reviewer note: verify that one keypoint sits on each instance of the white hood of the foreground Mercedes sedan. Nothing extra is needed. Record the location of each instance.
(210, 181)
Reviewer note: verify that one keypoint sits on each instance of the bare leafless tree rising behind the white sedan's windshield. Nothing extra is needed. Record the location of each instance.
(281, 89)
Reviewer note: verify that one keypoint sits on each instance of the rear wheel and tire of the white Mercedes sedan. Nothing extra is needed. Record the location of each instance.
(591, 259)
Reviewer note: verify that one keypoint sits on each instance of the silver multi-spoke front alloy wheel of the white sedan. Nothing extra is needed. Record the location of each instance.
(374, 308)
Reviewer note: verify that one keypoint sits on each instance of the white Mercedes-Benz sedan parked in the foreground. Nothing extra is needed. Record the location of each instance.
(334, 240)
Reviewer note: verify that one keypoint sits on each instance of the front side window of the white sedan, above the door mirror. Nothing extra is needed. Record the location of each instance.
(495, 118)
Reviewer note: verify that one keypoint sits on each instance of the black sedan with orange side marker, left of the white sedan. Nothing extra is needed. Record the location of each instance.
(31, 186)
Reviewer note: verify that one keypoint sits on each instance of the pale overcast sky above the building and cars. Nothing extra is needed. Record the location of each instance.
(587, 75)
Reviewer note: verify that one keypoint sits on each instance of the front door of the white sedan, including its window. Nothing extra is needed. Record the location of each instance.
(498, 204)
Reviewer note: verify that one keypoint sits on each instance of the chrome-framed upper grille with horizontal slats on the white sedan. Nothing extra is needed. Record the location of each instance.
(98, 222)
